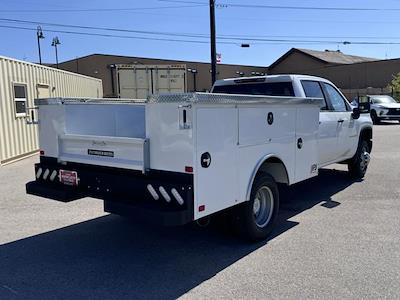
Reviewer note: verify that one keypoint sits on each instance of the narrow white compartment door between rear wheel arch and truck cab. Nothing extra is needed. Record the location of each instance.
(307, 123)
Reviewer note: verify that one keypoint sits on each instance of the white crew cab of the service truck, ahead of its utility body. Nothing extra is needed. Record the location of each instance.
(340, 126)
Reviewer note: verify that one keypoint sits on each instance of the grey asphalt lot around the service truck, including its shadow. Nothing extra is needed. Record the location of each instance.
(335, 239)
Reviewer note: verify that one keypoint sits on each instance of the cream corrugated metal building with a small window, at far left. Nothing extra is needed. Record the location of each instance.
(22, 82)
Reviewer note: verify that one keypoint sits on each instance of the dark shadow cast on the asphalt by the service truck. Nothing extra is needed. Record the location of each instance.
(113, 258)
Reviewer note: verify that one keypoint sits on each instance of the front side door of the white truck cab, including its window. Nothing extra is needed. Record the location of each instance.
(345, 126)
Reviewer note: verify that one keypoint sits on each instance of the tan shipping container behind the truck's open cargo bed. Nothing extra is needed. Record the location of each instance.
(140, 81)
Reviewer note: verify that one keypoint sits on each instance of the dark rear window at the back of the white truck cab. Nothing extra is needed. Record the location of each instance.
(265, 88)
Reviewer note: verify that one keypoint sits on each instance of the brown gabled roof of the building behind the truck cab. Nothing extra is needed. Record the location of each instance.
(327, 56)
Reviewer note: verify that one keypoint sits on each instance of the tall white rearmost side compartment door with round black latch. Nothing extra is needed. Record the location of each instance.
(215, 167)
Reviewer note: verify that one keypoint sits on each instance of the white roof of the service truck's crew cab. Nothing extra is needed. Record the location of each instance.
(267, 78)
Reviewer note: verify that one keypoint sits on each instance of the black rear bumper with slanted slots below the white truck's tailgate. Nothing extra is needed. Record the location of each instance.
(157, 196)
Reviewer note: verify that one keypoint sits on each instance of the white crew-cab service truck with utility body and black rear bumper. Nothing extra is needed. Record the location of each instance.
(183, 157)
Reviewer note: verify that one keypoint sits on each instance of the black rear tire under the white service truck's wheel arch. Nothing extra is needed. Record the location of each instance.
(251, 226)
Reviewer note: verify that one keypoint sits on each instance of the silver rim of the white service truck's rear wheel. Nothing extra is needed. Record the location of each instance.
(263, 206)
